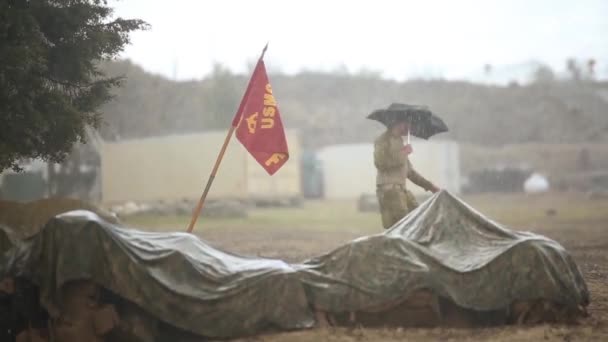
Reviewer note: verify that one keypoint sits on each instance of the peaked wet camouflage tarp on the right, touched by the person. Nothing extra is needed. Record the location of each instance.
(454, 251)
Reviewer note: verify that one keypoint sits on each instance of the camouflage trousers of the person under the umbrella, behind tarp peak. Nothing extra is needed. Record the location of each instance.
(395, 203)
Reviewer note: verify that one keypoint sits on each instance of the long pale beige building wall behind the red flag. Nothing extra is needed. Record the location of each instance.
(177, 167)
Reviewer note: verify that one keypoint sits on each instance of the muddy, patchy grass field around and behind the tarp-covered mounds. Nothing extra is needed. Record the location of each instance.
(579, 223)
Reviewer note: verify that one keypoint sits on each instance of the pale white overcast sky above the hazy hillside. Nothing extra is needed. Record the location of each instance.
(399, 39)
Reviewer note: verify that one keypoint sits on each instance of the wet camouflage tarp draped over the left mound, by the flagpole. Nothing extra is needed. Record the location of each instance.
(174, 277)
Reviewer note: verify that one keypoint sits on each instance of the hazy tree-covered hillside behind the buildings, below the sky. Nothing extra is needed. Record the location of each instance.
(330, 108)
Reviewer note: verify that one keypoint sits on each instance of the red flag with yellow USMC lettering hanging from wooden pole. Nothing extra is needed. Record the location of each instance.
(258, 123)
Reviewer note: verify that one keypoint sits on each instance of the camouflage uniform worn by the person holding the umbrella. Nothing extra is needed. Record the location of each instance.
(393, 169)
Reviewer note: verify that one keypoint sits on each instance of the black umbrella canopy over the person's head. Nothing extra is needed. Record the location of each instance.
(424, 123)
